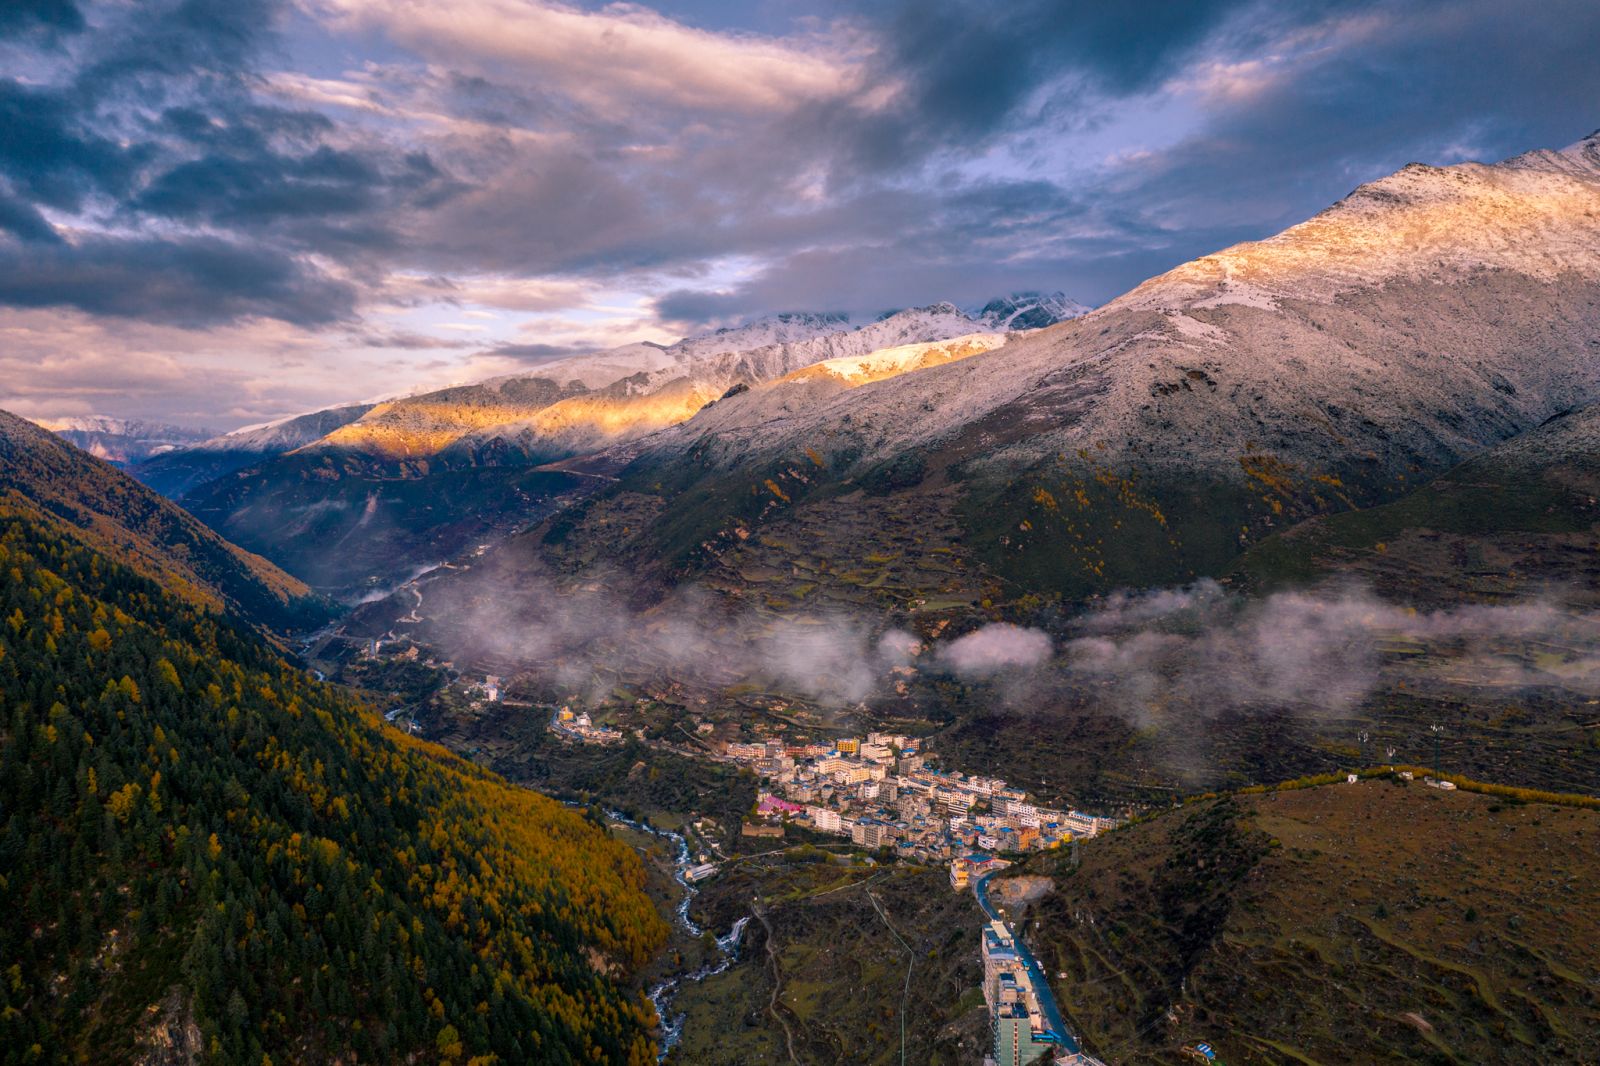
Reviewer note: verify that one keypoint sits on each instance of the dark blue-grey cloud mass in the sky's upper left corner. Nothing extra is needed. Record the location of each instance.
(209, 202)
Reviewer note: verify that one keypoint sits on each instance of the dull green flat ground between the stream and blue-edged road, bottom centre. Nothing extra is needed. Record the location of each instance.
(823, 972)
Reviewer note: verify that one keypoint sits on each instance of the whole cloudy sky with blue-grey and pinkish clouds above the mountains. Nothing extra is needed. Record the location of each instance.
(218, 212)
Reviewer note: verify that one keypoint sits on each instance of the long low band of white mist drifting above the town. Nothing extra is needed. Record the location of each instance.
(1198, 652)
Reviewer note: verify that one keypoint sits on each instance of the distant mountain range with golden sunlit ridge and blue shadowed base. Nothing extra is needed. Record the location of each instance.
(353, 497)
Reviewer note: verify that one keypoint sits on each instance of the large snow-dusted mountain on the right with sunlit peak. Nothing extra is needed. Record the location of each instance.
(1420, 321)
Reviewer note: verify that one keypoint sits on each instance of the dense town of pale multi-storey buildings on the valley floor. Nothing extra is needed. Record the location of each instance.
(881, 793)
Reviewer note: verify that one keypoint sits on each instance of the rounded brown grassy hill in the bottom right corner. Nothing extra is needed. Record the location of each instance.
(1338, 924)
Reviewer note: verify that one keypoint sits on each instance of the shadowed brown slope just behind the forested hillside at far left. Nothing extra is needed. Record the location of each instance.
(134, 526)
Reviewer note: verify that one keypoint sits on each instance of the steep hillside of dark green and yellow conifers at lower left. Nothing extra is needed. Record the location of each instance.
(209, 857)
